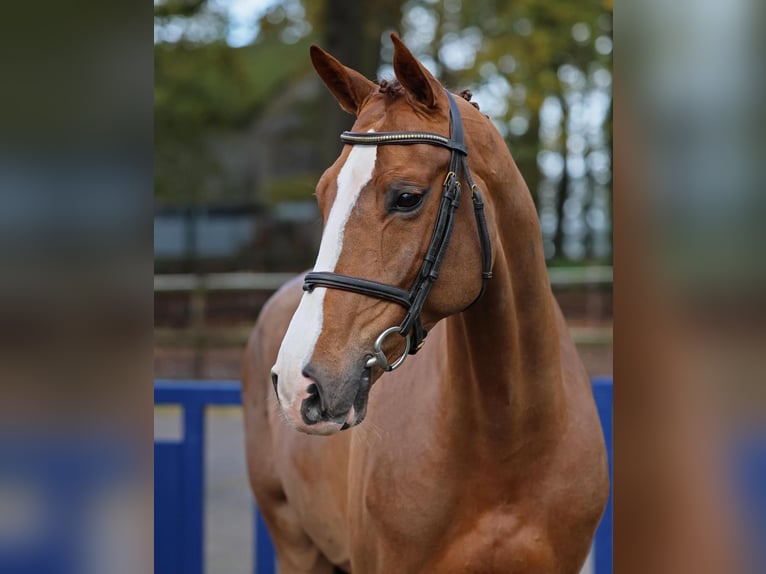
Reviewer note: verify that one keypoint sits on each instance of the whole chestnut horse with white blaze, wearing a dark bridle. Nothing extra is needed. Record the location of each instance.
(481, 453)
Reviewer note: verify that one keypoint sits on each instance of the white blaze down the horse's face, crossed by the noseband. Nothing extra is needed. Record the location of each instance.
(306, 325)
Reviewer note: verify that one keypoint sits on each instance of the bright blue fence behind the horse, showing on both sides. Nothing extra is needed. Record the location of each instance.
(179, 481)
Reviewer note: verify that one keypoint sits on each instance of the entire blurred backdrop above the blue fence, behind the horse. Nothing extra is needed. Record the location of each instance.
(244, 128)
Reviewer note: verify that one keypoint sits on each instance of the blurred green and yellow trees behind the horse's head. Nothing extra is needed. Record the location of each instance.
(540, 70)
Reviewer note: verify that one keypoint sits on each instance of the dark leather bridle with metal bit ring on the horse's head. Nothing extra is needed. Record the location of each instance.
(413, 300)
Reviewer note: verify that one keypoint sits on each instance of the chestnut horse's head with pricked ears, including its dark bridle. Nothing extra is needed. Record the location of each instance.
(399, 250)
